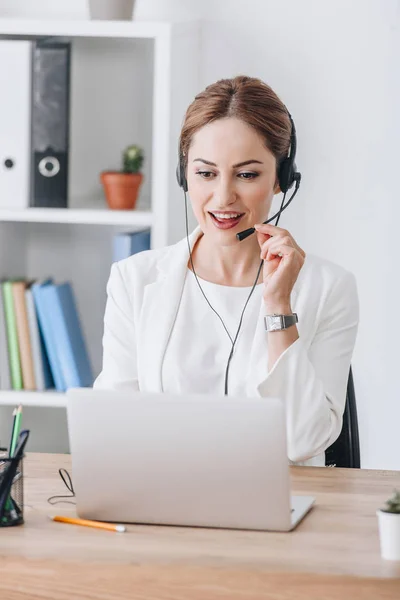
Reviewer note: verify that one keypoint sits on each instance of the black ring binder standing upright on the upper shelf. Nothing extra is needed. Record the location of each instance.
(50, 124)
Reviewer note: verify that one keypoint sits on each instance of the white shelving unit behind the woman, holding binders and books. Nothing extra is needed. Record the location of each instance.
(130, 83)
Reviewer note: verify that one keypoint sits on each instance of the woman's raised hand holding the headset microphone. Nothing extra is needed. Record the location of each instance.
(283, 260)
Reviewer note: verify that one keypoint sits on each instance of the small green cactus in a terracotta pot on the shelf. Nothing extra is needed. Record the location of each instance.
(121, 187)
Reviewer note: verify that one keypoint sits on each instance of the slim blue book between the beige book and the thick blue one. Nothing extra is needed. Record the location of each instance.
(48, 334)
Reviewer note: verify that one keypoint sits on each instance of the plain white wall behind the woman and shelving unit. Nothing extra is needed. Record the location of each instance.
(335, 64)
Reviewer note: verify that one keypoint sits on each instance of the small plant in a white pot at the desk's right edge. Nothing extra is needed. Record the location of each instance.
(389, 527)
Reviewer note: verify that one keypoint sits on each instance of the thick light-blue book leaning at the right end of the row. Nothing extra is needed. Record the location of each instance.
(69, 342)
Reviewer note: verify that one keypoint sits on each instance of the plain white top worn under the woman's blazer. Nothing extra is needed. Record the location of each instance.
(200, 367)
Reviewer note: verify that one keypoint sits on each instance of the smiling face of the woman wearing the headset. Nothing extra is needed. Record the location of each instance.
(231, 178)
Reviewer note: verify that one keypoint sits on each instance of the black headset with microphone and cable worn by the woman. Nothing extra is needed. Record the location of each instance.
(288, 175)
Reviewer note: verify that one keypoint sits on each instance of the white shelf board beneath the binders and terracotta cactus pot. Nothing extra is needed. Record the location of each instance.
(86, 215)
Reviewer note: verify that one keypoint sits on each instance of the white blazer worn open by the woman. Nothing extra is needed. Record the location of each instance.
(310, 376)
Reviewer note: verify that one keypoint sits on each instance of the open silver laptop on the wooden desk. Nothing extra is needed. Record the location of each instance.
(184, 460)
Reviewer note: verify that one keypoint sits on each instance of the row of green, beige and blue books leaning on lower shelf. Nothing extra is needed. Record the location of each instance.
(41, 339)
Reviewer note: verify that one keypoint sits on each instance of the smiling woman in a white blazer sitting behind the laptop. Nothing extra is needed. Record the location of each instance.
(172, 316)
